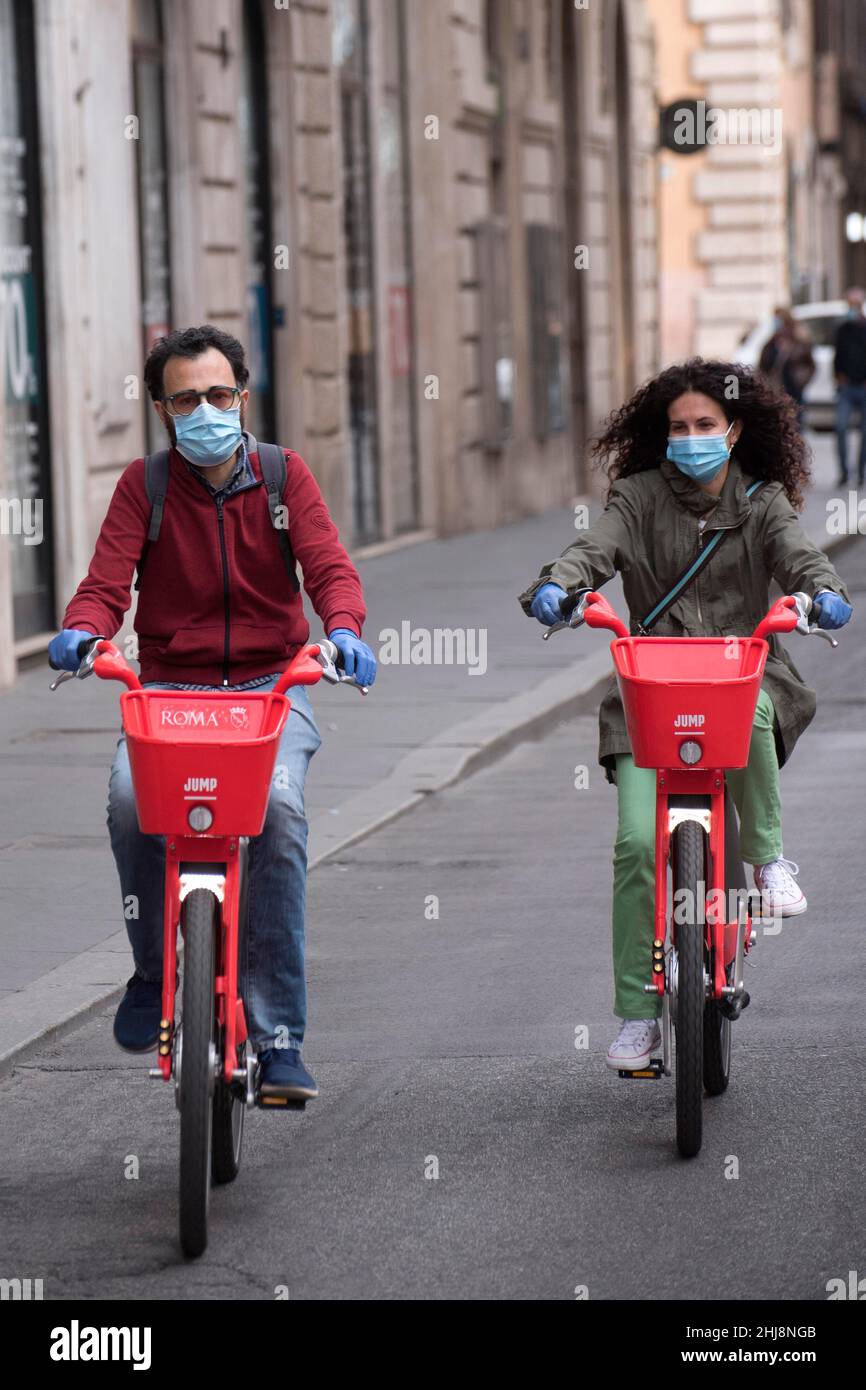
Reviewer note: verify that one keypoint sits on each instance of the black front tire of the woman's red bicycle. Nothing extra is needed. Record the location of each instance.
(689, 939)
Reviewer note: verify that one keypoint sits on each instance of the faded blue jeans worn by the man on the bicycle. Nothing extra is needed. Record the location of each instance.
(273, 967)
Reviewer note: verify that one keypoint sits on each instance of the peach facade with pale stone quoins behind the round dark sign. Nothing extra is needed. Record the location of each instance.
(746, 224)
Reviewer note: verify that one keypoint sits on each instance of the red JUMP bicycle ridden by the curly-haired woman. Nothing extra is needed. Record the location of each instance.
(690, 705)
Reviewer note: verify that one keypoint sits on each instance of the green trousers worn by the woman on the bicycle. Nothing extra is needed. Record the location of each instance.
(755, 792)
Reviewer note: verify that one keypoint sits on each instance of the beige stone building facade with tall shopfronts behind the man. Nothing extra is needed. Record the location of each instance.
(433, 224)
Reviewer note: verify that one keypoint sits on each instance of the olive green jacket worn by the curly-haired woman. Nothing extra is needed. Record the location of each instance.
(650, 533)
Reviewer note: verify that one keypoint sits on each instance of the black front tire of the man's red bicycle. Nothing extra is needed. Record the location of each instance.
(199, 917)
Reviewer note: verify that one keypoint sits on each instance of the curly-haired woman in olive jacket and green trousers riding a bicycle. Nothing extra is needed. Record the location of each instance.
(701, 455)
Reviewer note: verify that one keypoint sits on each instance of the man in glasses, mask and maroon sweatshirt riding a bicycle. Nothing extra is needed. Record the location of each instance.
(216, 526)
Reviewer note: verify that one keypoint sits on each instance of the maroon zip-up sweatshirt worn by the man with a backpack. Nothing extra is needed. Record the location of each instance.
(216, 603)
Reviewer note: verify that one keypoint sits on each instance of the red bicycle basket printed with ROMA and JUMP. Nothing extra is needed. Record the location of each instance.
(199, 750)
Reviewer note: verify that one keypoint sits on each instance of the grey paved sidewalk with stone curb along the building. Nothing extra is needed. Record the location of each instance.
(420, 728)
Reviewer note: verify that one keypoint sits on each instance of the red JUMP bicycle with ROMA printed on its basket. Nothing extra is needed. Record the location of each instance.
(202, 767)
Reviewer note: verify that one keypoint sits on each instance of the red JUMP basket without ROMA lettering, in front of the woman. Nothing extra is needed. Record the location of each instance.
(690, 689)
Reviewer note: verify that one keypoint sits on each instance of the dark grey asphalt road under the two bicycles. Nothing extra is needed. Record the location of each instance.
(452, 958)
